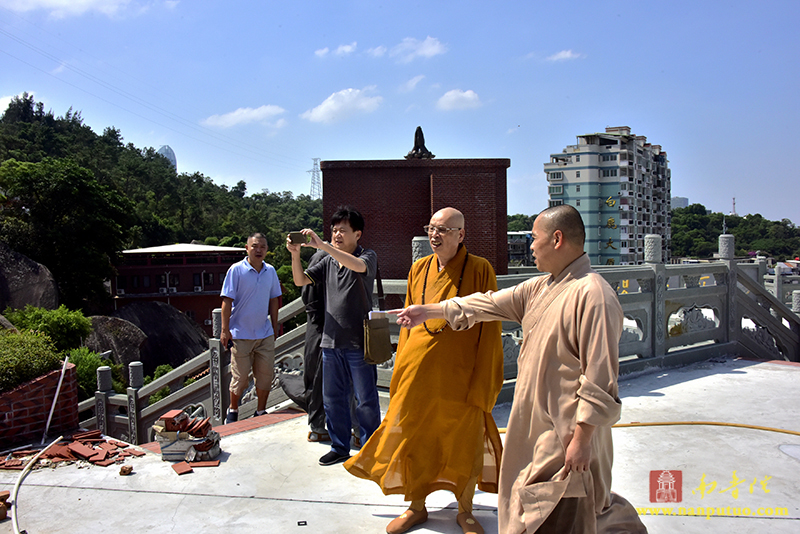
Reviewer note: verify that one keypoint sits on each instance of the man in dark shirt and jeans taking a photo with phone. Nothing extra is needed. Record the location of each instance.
(346, 276)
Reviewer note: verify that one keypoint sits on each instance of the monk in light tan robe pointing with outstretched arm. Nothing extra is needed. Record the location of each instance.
(555, 475)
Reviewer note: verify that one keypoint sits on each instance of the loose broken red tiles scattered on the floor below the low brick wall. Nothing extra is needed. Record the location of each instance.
(89, 447)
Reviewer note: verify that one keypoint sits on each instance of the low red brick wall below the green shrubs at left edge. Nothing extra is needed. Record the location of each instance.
(24, 410)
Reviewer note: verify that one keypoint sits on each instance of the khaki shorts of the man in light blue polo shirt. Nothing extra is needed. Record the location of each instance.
(255, 354)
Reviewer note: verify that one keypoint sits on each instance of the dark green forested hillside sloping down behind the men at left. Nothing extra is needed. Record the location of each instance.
(70, 199)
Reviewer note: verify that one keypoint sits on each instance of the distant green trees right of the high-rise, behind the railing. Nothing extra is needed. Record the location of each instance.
(695, 233)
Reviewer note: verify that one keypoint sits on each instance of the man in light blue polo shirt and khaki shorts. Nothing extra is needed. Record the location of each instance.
(250, 300)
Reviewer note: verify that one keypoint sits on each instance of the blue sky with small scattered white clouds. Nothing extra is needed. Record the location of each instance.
(253, 90)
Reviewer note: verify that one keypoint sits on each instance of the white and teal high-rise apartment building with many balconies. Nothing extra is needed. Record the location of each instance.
(620, 184)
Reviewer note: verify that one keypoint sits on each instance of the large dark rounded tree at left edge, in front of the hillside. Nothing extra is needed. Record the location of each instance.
(58, 215)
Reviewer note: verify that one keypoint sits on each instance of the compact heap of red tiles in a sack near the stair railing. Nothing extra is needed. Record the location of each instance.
(183, 438)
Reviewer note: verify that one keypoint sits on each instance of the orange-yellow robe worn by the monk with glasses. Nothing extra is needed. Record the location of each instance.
(439, 429)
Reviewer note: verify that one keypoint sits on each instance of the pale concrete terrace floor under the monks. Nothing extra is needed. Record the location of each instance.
(269, 479)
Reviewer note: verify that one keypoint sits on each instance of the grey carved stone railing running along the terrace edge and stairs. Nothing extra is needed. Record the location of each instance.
(674, 315)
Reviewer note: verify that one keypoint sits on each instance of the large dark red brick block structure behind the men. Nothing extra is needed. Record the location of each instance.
(398, 197)
